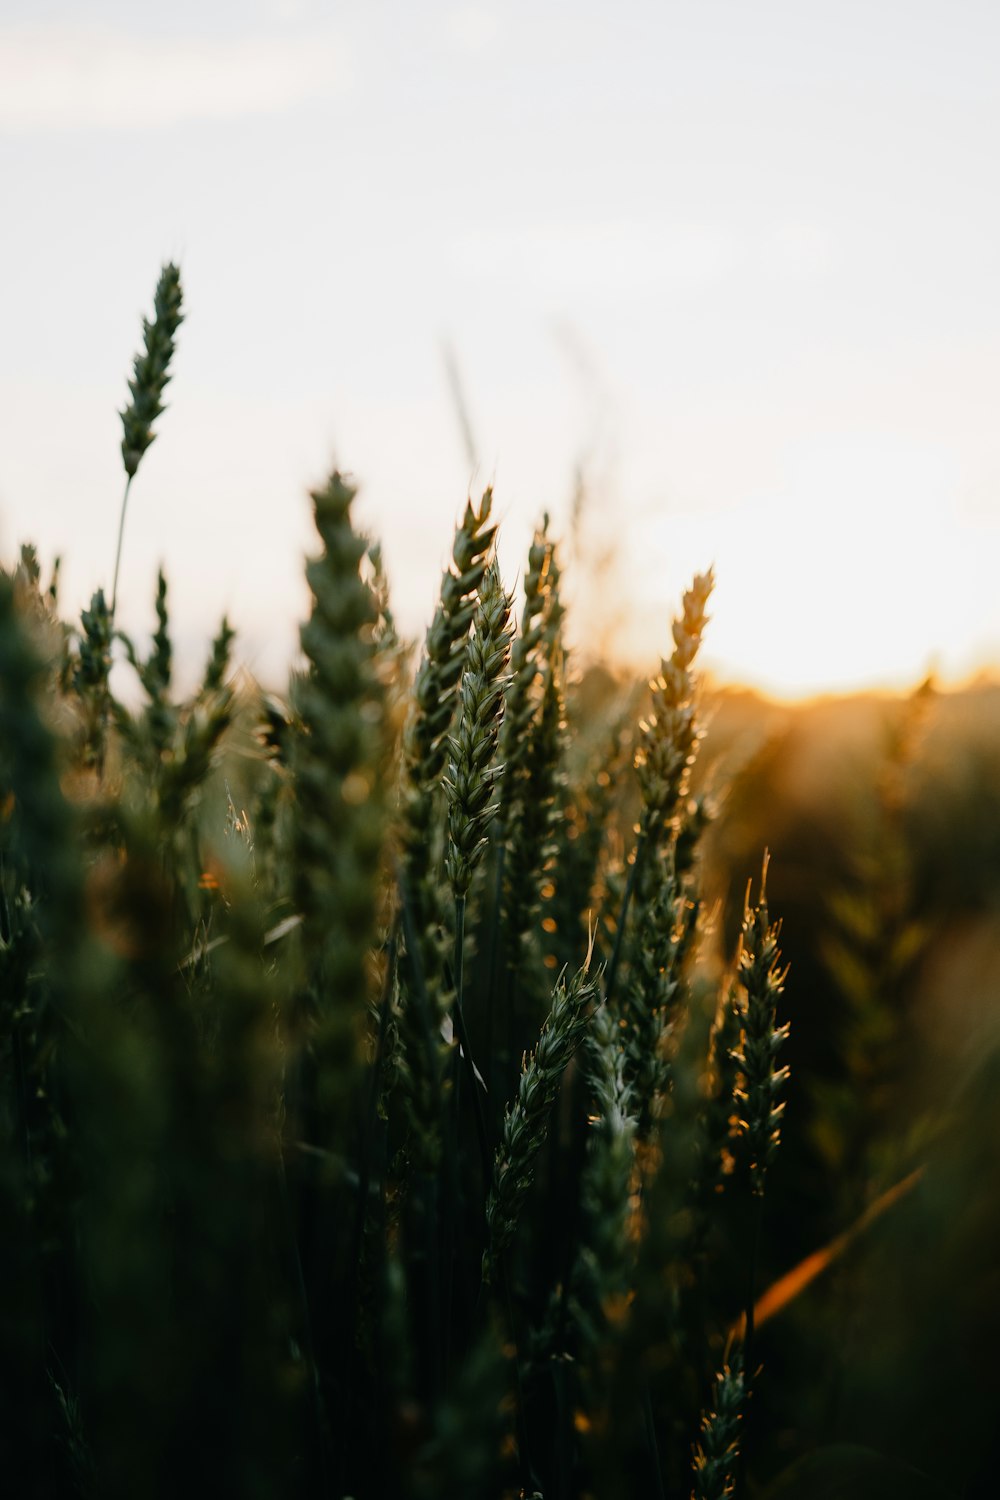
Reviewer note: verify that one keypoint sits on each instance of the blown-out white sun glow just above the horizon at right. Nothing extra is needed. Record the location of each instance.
(855, 590)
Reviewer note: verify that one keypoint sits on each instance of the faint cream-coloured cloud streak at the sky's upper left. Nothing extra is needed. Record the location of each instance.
(76, 79)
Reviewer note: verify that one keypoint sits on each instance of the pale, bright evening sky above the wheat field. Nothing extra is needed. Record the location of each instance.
(725, 271)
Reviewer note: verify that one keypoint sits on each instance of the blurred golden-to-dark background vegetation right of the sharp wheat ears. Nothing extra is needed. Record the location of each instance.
(882, 818)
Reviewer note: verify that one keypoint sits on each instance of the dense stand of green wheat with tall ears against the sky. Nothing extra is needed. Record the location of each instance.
(395, 1070)
